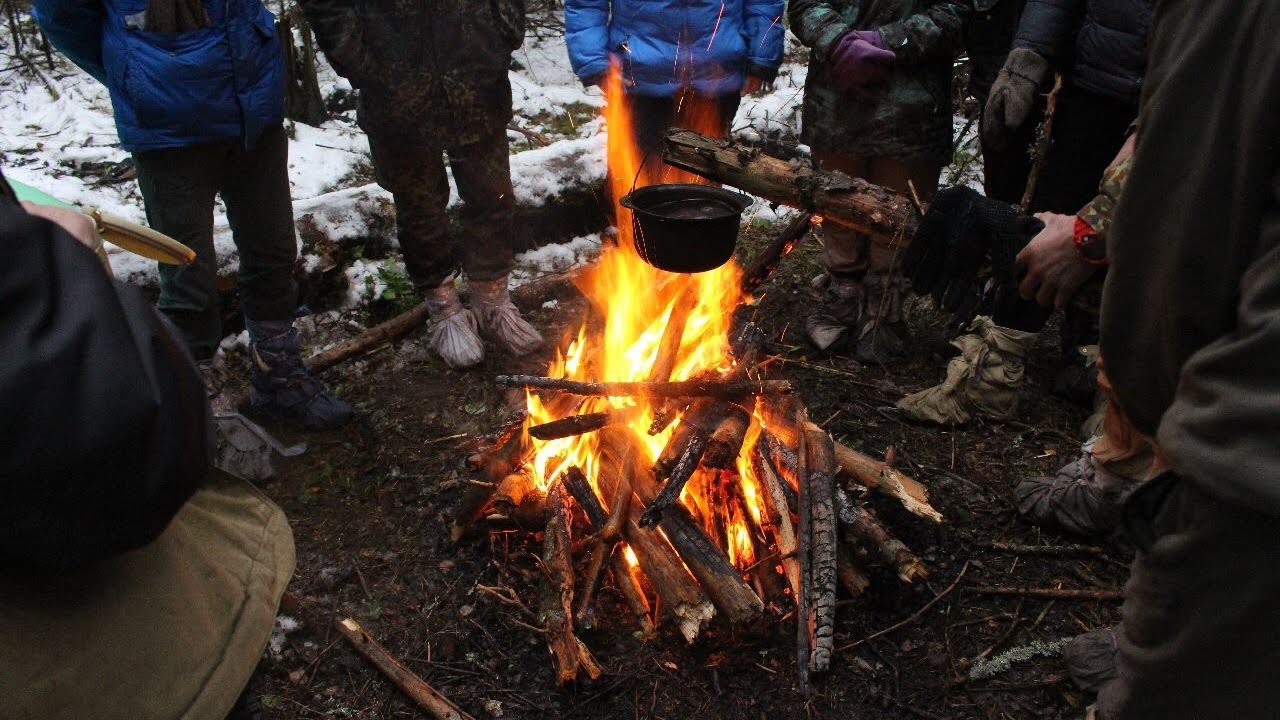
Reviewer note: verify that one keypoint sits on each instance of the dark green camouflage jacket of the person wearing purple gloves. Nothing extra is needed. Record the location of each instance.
(912, 117)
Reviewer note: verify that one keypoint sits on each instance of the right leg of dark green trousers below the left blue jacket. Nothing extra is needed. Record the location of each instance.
(260, 212)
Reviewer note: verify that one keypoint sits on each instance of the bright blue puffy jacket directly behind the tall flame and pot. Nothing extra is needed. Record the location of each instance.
(664, 45)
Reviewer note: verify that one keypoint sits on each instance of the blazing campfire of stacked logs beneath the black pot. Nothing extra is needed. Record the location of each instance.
(659, 452)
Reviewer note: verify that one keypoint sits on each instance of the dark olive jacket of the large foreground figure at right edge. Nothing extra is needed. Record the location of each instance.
(1191, 317)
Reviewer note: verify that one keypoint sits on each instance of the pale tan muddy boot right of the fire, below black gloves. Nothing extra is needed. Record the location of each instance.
(984, 380)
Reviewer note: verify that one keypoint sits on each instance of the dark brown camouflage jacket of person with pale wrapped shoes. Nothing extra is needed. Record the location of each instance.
(429, 72)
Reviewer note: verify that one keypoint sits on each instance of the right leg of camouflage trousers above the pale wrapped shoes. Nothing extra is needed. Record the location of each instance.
(483, 175)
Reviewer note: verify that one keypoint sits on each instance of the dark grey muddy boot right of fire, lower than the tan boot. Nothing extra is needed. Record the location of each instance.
(1084, 499)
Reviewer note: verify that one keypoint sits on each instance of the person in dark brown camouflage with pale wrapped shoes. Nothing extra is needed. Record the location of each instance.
(433, 81)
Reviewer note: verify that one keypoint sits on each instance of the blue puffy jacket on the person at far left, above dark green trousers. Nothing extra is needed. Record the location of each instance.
(176, 90)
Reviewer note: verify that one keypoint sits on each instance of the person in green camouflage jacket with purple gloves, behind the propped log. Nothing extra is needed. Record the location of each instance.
(877, 106)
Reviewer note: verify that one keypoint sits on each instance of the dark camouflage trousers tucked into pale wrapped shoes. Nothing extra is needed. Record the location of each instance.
(417, 179)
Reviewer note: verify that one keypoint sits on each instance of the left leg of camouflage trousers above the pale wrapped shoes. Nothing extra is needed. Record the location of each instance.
(418, 181)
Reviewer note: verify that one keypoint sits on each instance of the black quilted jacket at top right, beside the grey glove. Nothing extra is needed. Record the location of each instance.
(1101, 45)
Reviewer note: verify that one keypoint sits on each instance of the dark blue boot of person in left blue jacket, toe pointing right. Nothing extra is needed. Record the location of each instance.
(281, 384)
